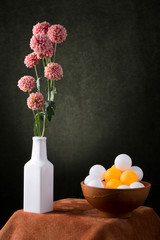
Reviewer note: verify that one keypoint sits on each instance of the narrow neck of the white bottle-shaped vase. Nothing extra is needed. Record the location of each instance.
(39, 151)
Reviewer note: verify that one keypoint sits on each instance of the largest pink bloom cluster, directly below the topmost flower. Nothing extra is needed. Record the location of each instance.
(42, 45)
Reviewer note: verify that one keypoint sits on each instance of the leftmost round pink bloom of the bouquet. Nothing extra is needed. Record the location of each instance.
(26, 83)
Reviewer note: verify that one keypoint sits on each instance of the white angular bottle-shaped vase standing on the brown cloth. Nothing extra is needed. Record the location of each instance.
(38, 179)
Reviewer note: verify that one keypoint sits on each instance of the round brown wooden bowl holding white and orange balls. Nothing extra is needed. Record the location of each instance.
(115, 202)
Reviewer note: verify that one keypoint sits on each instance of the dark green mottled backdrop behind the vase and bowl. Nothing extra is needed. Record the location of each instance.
(107, 102)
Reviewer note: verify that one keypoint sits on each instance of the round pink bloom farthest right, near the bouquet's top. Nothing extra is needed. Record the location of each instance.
(57, 33)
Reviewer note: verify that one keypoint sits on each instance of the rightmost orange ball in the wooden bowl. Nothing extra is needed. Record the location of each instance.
(128, 177)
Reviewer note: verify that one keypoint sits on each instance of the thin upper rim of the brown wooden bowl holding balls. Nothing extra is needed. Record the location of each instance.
(118, 189)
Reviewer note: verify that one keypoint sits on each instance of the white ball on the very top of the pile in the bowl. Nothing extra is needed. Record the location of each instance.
(123, 162)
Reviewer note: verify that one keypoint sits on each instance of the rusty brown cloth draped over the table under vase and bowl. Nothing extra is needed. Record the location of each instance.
(75, 219)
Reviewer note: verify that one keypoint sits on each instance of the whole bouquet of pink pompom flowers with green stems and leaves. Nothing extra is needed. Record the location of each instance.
(44, 43)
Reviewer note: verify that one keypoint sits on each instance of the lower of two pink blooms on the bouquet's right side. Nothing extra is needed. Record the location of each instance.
(53, 71)
